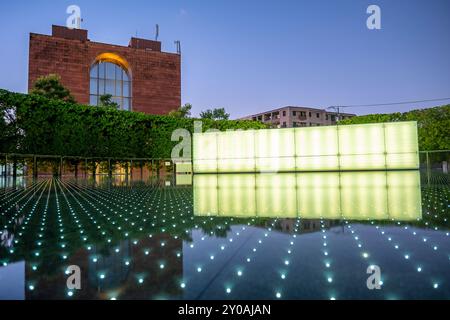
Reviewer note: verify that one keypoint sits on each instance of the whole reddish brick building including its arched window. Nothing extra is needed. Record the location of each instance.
(140, 77)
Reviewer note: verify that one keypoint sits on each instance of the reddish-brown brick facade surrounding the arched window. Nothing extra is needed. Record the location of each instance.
(156, 75)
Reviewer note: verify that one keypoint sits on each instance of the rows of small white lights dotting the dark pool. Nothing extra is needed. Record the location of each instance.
(134, 202)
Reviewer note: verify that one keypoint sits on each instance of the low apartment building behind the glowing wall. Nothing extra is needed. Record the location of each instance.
(292, 117)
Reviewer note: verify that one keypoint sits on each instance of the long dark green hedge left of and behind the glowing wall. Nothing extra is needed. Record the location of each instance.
(52, 127)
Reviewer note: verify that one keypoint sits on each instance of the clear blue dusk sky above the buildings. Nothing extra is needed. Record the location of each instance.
(251, 56)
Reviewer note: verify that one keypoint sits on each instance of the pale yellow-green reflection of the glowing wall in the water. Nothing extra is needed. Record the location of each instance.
(375, 195)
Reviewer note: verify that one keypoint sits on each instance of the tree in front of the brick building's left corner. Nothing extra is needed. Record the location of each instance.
(50, 86)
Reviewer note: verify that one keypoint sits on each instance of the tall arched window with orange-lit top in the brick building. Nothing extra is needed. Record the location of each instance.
(109, 75)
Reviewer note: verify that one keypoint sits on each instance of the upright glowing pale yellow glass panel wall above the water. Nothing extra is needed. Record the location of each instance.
(332, 148)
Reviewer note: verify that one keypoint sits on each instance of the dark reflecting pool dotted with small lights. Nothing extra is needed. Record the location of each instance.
(243, 236)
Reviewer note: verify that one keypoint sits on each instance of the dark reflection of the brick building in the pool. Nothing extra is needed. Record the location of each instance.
(116, 271)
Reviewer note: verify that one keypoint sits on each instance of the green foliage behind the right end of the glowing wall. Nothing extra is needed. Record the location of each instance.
(433, 125)
